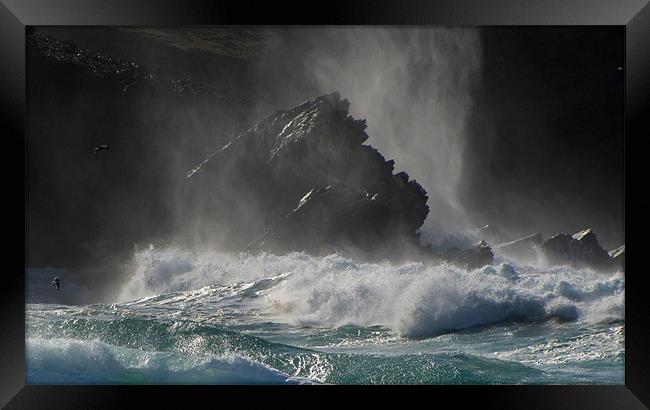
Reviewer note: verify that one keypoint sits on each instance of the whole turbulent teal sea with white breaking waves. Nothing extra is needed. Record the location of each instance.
(210, 318)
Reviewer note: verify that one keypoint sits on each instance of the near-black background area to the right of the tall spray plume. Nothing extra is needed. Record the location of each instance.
(546, 147)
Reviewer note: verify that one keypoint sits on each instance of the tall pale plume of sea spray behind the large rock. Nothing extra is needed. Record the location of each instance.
(414, 88)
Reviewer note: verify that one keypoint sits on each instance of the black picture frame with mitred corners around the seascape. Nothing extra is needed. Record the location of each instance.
(15, 15)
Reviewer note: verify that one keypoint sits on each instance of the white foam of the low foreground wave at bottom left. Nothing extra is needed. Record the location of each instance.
(71, 361)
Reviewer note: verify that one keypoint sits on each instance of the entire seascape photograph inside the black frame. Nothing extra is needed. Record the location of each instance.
(339, 205)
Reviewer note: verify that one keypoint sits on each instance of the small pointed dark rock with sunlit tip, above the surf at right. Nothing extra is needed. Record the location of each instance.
(580, 250)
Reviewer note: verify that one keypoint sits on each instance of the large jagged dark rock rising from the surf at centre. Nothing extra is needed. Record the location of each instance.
(303, 180)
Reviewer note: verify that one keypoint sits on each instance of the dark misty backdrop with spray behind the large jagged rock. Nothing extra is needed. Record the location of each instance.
(521, 128)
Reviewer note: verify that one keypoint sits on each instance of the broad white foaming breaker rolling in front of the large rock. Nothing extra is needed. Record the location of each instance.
(413, 299)
